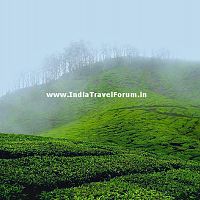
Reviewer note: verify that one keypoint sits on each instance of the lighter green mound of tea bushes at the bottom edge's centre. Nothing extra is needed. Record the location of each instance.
(114, 189)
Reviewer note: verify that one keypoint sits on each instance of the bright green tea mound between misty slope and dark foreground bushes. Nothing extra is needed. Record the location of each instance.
(162, 129)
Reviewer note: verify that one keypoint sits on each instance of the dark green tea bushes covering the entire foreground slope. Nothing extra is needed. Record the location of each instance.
(32, 172)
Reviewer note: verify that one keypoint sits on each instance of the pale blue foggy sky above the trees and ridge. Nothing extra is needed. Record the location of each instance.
(31, 30)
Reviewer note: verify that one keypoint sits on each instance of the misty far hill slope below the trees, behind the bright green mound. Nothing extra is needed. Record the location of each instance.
(166, 82)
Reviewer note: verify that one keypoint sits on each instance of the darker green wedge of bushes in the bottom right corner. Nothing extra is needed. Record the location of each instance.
(181, 183)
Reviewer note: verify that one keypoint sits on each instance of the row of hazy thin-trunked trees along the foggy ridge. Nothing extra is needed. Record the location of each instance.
(80, 56)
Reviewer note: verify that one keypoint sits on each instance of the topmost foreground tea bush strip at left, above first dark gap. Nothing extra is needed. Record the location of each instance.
(16, 146)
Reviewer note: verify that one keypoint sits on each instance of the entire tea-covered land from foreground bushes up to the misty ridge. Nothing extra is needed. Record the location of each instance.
(105, 148)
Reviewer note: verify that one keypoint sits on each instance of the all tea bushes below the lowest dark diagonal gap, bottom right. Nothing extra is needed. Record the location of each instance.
(180, 184)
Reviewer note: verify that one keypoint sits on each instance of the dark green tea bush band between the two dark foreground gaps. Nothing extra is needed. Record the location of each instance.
(36, 173)
